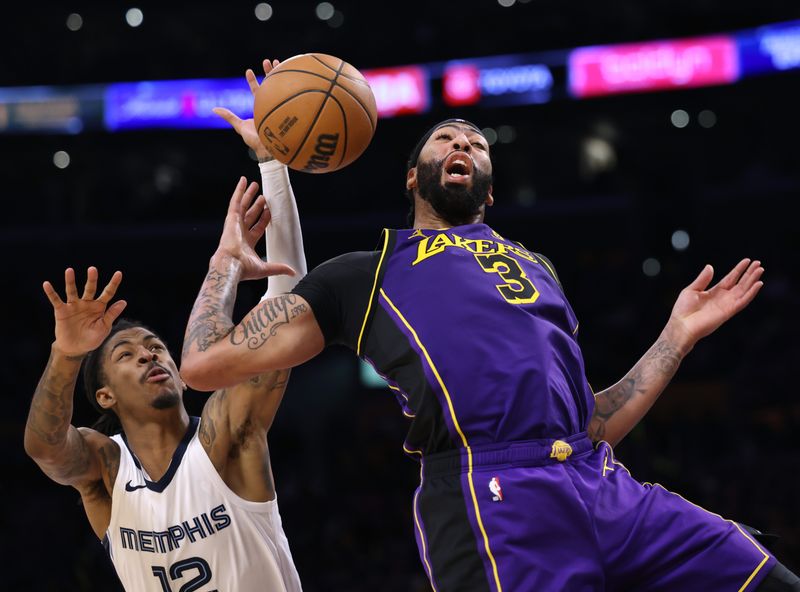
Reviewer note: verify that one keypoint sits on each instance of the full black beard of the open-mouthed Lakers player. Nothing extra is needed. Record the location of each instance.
(457, 204)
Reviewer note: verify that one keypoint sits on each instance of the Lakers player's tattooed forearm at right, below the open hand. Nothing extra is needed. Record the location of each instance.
(635, 393)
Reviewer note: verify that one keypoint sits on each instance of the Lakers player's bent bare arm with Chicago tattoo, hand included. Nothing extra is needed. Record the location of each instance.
(279, 332)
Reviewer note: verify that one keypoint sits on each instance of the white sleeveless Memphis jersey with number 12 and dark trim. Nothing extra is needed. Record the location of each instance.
(188, 532)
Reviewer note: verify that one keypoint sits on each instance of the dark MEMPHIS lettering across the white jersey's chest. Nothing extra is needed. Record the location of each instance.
(185, 532)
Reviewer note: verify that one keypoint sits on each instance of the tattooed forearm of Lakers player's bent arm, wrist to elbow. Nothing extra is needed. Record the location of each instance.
(210, 319)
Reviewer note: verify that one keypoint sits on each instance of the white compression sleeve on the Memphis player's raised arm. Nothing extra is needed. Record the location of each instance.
(284, 237)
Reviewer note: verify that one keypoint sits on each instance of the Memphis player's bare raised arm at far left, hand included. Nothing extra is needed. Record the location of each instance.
(68, 455)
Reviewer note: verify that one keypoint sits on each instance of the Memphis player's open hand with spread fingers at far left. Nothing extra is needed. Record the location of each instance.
(83, 322)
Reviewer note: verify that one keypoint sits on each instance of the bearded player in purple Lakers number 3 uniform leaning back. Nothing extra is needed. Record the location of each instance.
(520, 489)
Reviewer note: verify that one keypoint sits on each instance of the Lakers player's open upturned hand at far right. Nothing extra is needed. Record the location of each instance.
(701, 311)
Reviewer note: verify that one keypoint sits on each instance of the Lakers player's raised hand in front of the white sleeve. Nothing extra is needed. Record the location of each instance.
(245, 224)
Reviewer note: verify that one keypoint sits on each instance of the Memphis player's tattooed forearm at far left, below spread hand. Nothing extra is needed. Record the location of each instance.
(51, 408)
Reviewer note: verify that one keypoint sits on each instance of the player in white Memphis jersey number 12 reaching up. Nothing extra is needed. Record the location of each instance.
(179, 502)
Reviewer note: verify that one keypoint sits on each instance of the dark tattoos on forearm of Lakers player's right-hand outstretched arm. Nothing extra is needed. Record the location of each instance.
(653, 371)
